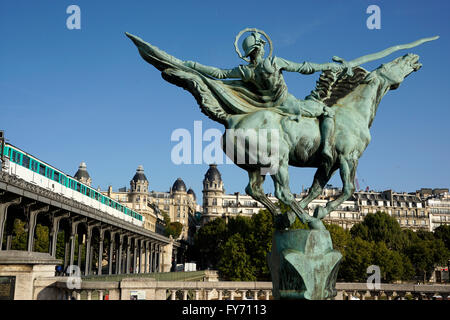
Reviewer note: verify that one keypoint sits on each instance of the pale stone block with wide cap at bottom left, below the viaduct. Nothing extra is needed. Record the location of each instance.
(26, 267)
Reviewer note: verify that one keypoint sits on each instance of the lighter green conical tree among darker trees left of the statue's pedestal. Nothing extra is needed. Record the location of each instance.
(234, 263)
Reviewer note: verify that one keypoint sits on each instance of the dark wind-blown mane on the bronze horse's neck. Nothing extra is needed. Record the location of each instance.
(332, 86)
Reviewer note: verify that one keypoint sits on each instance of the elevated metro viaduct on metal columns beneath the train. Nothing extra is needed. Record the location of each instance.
(127, 248)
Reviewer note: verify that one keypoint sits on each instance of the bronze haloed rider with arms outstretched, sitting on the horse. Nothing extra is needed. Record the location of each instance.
(266, 82)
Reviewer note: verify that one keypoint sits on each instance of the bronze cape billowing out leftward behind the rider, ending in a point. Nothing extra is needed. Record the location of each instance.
(218, 99)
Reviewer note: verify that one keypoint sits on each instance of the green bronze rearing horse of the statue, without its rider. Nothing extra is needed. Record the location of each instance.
(355, 101)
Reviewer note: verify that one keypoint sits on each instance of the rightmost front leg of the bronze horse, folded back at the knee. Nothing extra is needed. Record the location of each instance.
(347, 168)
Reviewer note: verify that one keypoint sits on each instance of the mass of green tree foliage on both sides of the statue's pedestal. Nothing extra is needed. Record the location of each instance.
(238, 249)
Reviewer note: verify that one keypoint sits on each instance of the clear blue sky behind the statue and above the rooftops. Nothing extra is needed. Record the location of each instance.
(68, 96)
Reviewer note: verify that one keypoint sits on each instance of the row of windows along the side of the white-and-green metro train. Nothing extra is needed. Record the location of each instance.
(38, 167)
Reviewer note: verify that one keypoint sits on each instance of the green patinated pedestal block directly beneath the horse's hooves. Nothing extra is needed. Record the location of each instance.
(303, 265)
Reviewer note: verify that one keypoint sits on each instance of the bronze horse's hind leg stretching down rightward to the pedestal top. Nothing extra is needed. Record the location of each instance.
(284, 194)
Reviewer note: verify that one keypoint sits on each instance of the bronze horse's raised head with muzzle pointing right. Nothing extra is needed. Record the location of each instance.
(397, 70)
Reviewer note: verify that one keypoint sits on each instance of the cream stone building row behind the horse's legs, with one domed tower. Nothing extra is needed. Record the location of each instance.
(411, 210)
